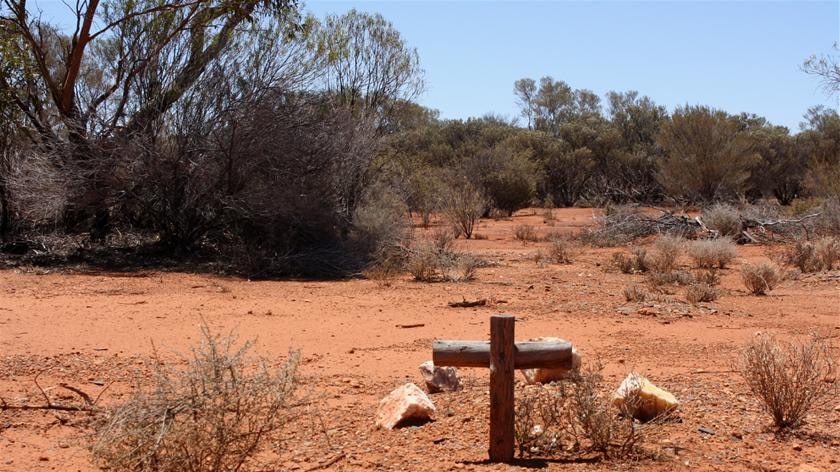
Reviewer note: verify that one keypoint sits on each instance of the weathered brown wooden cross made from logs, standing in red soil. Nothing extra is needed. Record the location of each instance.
(502, 355)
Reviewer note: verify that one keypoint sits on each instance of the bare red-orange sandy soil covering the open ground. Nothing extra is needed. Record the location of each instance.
(84, 329)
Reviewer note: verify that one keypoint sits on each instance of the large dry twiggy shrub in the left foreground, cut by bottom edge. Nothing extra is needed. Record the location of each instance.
(215, 416)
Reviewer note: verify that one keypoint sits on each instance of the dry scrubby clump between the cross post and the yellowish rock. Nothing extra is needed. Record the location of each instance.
(577, 414)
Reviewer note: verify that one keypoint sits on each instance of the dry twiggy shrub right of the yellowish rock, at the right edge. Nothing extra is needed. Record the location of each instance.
(789, 378)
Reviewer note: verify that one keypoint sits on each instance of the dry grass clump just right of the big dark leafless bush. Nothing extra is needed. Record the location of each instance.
(435, 260)
